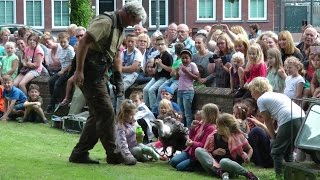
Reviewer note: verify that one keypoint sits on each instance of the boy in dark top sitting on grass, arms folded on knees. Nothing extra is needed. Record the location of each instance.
(33, 111)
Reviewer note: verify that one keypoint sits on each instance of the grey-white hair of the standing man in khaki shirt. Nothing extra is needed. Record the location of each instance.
(136, 9)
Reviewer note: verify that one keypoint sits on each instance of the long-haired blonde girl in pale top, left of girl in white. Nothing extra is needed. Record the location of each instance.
(276, 74)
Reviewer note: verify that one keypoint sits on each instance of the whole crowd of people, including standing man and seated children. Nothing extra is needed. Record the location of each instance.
(264, 70)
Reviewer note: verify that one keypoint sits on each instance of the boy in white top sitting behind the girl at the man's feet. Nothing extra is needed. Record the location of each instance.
(143, 116)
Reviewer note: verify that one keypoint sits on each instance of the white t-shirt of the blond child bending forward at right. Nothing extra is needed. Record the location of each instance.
(280, 107)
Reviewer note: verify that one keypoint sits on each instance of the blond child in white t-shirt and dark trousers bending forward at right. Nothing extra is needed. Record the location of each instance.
(289, 115)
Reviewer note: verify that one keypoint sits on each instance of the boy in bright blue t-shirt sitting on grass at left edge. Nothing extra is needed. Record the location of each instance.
(14, 98)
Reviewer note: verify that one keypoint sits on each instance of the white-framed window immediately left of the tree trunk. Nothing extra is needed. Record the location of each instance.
(61, 13)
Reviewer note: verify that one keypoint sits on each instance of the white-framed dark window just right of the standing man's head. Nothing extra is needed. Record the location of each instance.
(163, 15)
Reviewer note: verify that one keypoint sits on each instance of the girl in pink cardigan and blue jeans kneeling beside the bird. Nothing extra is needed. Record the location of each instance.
(199, 131)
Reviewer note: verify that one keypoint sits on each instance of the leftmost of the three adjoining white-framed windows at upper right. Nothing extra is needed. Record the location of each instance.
(206, 10)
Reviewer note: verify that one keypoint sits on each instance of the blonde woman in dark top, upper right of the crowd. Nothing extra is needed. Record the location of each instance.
(287, 46)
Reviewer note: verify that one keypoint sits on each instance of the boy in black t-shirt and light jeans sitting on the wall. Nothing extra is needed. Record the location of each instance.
(163, 63)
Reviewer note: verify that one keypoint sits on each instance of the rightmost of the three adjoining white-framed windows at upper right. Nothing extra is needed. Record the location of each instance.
(258, 10)
